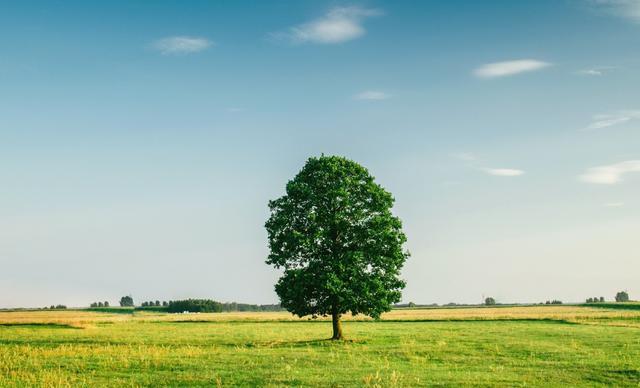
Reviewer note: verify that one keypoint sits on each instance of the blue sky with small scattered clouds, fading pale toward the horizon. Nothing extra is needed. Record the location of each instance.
(140, 142)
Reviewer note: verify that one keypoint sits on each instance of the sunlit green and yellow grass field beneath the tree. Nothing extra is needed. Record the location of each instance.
(503, 346)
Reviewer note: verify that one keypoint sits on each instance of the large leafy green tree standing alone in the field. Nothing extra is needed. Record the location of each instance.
(337, 241)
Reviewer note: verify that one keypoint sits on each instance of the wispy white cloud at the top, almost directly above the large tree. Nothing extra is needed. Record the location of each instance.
(339, 25)
